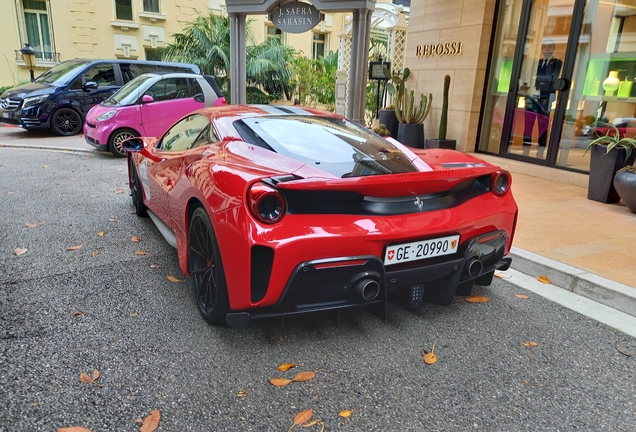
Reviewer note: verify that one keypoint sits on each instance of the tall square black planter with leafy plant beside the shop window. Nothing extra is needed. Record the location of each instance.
(603, 168)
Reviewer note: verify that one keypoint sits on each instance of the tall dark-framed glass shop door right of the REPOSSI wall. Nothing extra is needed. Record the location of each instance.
(531, 79)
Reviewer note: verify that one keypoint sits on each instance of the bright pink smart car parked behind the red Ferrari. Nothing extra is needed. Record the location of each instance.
(147, 106)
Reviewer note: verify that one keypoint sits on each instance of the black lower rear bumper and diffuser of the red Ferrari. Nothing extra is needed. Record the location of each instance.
(333, 285)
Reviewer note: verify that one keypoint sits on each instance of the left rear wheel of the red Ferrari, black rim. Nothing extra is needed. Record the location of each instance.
(206, 269)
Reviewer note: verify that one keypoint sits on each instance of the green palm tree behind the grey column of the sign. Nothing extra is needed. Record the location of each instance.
(206, 43)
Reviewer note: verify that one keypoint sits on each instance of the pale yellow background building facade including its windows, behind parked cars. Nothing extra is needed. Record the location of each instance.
(135, 29)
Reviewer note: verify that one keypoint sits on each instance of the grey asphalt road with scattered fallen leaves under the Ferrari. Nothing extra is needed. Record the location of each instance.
(154, 352)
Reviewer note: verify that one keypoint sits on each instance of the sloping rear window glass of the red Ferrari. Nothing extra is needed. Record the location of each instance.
(331, 144)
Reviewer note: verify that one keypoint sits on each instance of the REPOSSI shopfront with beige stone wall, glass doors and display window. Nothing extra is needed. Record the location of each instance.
(534, 80)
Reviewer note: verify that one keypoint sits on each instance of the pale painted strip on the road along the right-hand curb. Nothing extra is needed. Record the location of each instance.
(597, 311)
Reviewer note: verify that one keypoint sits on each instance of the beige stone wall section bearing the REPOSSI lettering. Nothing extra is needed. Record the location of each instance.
(434, 22)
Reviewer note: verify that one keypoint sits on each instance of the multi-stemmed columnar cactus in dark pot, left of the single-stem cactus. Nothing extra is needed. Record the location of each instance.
(411, 117)
